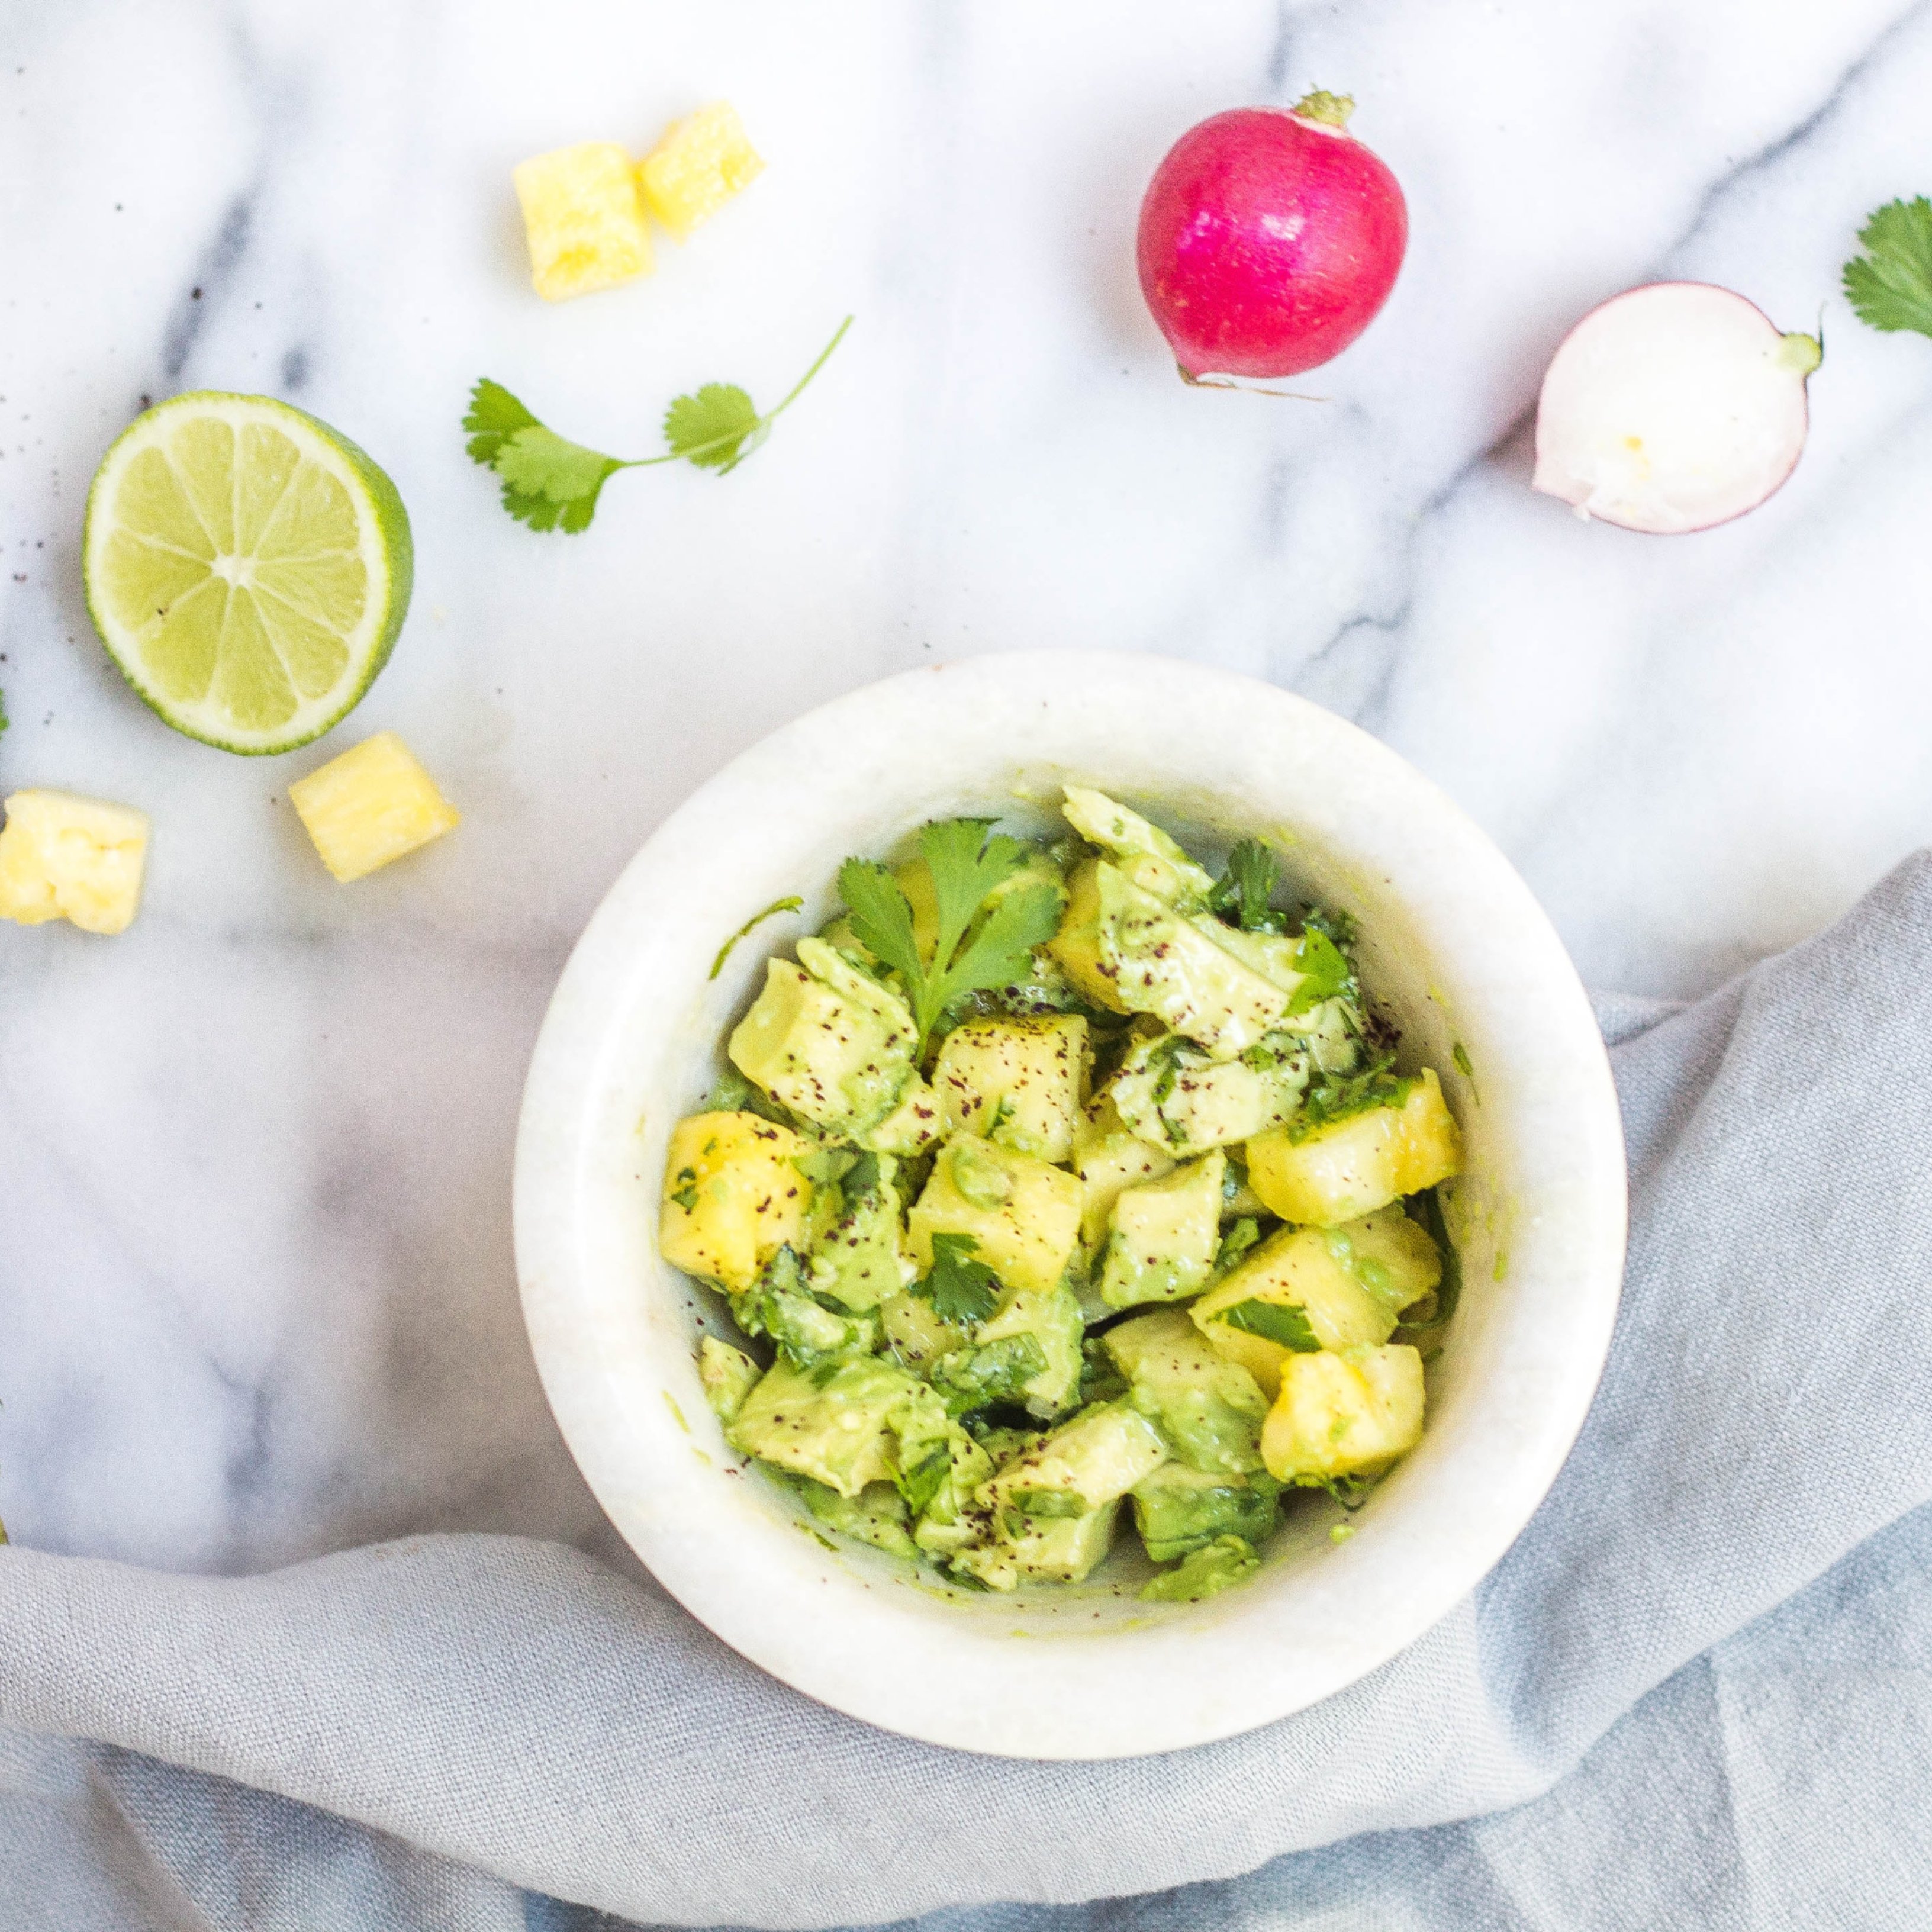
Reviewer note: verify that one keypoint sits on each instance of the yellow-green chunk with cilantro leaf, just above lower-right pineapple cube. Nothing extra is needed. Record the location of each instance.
(1344, 1284)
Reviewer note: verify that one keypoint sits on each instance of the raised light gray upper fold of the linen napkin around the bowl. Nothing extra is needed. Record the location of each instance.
(513, 1707)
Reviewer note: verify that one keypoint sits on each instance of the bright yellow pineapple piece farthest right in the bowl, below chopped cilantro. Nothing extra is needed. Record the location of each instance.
(1359, 1164)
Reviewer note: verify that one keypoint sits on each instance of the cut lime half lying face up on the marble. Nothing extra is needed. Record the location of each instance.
(246, 567)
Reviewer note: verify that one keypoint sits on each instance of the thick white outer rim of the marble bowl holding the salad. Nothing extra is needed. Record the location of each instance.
(923, 1676)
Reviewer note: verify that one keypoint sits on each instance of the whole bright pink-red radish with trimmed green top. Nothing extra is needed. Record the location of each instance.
(1268, 241)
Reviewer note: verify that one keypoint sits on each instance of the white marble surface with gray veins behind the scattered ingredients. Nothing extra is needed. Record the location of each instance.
(256, 1290)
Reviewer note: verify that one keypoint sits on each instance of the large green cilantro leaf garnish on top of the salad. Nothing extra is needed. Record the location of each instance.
(969, 863)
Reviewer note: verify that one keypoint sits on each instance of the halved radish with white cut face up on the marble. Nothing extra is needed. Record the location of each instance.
(1672, 409)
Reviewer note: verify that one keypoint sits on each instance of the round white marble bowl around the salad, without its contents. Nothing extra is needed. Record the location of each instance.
(1454, 944)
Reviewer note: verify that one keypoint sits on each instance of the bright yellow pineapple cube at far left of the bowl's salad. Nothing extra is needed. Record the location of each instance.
(733, 1197)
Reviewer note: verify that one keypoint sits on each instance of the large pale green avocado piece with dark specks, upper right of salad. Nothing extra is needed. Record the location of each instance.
(1174, 967)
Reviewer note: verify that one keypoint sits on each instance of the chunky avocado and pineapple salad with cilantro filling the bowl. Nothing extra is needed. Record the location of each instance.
(1056, 1178)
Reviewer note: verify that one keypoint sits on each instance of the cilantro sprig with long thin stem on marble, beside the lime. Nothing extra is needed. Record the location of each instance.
(554, 484)
